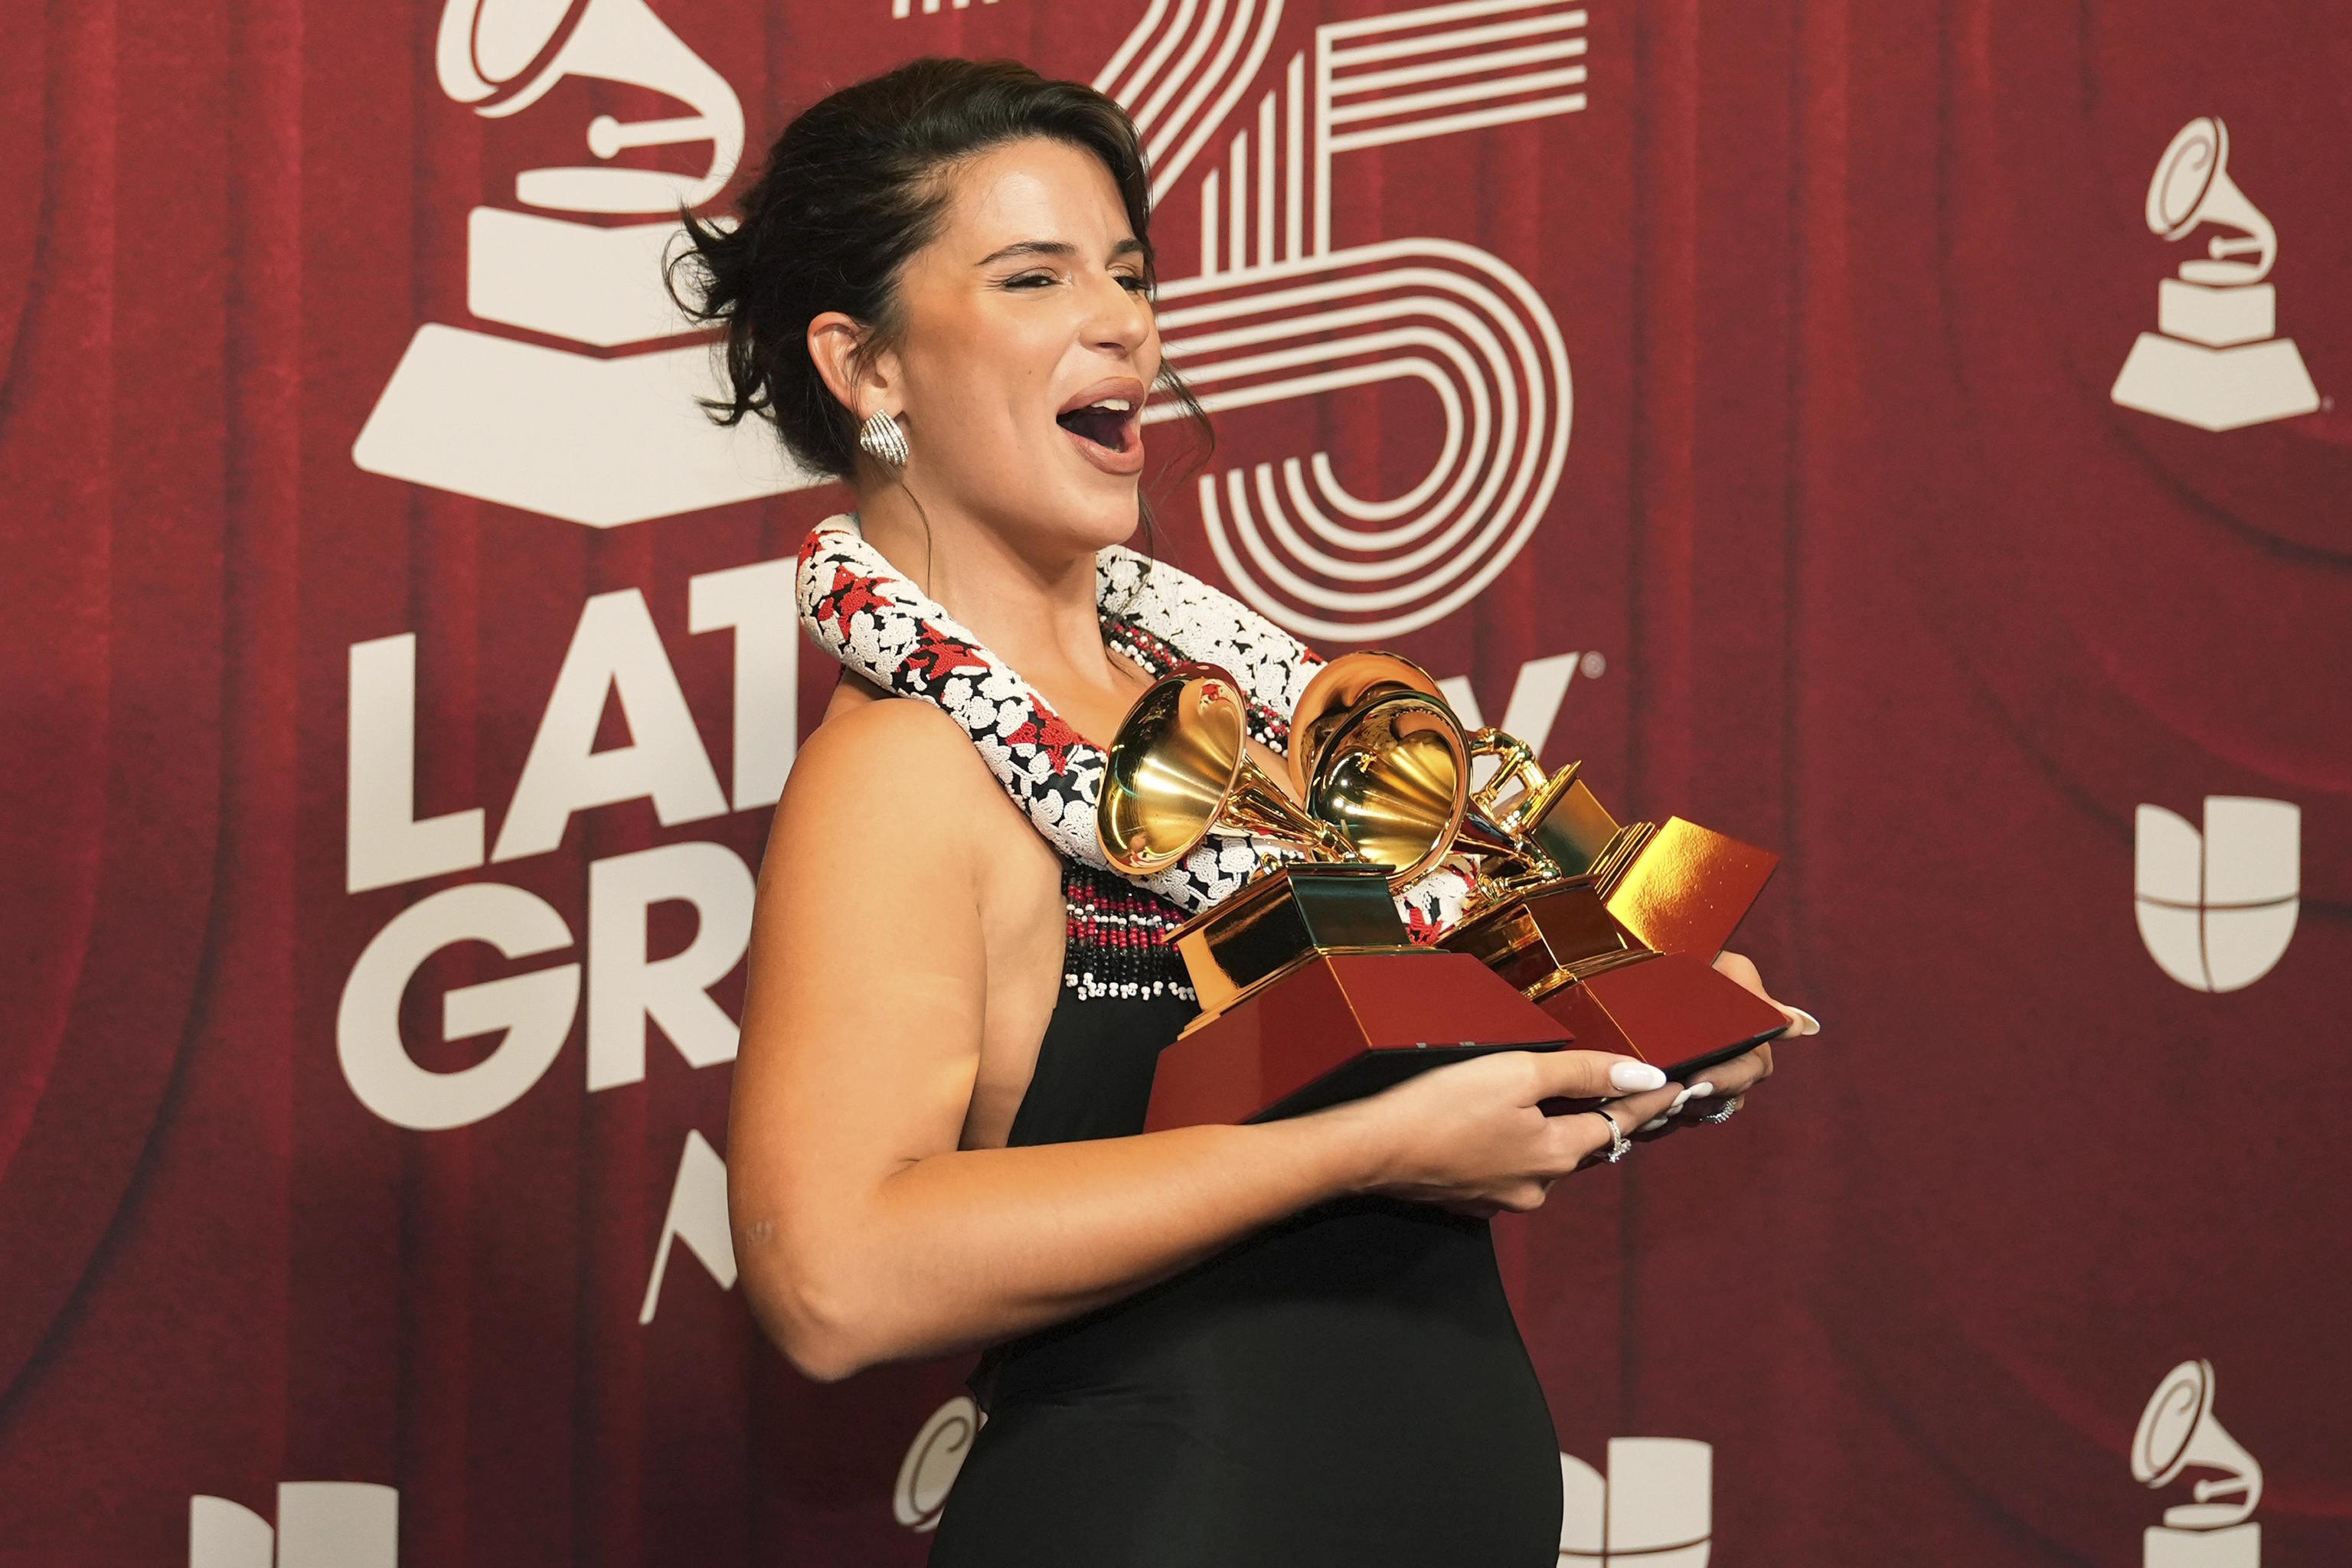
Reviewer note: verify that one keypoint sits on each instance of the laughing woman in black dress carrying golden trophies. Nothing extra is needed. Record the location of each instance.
(1271, 1343)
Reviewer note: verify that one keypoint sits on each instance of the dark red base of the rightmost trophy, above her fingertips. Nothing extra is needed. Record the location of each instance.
(1676, 1012)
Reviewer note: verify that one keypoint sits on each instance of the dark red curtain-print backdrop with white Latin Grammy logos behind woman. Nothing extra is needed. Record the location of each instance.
(1904, 436)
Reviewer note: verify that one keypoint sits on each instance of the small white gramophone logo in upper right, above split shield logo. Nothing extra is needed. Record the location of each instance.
(2214, 363)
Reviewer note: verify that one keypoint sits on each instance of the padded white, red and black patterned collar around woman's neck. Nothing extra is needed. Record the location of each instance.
(886, 629)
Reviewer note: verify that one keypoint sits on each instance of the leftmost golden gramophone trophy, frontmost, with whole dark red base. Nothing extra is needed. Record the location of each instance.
(1309, 989)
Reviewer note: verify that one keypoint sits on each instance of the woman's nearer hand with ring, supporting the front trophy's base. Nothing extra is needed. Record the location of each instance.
(1474, 1137)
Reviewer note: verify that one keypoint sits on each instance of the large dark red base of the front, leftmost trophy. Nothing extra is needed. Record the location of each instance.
(1337, 1028)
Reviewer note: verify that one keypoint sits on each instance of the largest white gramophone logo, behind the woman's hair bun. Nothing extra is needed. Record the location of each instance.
(599, 438)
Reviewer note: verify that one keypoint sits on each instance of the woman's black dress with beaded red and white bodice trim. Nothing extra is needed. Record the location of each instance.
(1344, 1388)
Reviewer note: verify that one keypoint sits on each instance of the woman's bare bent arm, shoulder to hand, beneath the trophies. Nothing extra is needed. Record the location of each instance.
(867, 1235)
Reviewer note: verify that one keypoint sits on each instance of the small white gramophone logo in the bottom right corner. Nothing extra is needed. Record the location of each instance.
(2181, 1433)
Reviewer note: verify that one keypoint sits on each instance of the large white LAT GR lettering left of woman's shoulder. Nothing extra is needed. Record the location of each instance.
(615, 659)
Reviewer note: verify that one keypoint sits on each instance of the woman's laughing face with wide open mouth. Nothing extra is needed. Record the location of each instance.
(1027, 351)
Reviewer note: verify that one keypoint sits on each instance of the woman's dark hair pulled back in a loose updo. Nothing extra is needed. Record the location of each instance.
(850, 192)
